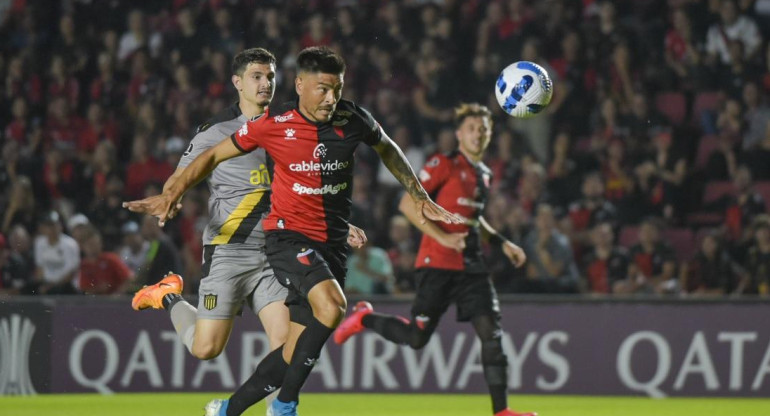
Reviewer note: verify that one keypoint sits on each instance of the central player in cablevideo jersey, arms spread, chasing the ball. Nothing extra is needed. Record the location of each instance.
(311, 142)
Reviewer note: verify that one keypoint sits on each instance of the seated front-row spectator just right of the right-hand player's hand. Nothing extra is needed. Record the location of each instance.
(550, 266)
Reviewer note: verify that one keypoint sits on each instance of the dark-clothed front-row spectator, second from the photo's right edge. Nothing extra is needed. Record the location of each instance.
(712, 271)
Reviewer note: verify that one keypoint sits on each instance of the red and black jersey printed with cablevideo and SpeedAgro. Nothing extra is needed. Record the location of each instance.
(313, 166)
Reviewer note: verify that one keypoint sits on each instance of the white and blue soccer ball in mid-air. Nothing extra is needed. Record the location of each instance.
(523, 89)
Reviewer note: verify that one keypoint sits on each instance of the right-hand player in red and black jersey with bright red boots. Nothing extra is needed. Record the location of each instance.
(450, 267)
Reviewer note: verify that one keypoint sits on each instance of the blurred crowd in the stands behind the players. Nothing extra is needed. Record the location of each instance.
(649, 173)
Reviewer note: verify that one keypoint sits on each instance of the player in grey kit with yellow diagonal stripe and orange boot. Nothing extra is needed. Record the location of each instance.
(235, 268)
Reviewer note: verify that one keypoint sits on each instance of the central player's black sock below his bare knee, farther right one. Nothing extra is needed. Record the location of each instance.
(306, 352)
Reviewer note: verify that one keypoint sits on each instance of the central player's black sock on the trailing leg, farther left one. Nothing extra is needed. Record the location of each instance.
(265, 380)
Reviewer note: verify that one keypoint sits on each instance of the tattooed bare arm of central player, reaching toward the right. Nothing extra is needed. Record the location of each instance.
(396, 162)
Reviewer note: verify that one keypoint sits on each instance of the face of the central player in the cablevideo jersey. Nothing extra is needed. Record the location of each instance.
(318, 94)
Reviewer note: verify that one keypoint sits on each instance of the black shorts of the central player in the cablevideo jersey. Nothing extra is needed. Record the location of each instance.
(299, 264)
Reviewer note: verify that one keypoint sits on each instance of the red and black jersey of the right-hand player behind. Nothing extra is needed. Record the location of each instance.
(460, 187)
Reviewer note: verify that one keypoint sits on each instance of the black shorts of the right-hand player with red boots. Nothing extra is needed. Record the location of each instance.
(473, 293)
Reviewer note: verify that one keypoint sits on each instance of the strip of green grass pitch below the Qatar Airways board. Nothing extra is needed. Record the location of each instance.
(187, 404)
